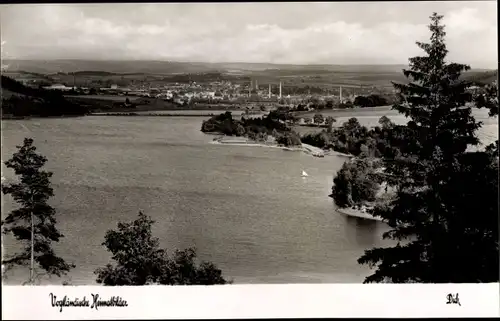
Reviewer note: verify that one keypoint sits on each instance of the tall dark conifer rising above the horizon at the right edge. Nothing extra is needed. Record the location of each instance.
(445, 211)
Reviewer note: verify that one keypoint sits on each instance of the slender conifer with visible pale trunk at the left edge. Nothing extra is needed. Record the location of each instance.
(34, 223)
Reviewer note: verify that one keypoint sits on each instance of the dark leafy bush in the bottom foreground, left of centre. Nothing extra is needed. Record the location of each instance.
(140, 260)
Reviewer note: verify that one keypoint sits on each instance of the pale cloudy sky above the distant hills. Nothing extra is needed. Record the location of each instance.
(290, 33)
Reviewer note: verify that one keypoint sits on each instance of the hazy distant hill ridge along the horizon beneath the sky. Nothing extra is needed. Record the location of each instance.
(375, 75)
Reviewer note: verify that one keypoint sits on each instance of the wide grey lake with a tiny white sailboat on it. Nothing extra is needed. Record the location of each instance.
(246, 209)
